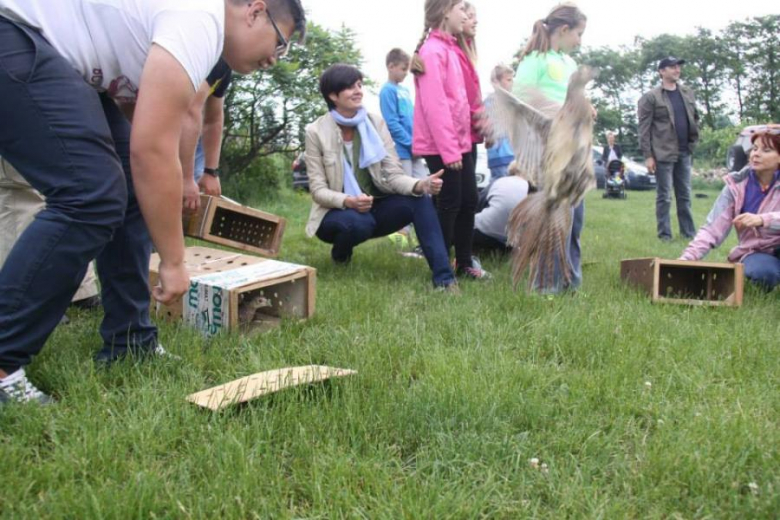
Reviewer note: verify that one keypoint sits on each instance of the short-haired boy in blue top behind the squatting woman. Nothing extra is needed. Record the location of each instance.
(398, 112)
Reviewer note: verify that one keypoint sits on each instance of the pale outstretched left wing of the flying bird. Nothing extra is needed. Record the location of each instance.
(527, 126)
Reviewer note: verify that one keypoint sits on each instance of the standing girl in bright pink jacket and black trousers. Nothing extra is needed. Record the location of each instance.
(442, 127)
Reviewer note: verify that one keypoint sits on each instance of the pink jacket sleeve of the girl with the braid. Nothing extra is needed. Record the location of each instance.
(436, 109)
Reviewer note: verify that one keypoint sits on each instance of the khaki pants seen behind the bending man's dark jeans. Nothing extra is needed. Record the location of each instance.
(19, 203)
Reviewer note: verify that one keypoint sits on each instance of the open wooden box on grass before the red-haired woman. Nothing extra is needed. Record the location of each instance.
(690, 283)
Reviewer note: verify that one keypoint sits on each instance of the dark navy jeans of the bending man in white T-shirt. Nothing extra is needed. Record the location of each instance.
(73, 146)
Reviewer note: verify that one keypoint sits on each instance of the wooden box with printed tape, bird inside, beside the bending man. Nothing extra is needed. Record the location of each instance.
(224, 285)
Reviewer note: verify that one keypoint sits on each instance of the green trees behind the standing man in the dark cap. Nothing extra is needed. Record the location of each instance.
(735, 73)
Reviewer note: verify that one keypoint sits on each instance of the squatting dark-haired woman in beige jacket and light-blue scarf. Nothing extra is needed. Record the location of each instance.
(358, 187)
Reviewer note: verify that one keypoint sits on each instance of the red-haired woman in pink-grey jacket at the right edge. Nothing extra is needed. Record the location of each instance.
(751, 202)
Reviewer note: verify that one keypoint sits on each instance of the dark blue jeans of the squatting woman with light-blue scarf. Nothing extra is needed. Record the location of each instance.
(347, 228)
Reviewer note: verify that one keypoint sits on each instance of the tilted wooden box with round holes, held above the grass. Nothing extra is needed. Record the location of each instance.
(230, 224)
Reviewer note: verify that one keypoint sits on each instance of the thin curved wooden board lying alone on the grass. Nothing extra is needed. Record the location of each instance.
(264, 383)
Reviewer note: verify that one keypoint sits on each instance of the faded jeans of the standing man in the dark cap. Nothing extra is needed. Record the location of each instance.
(677, 174)
